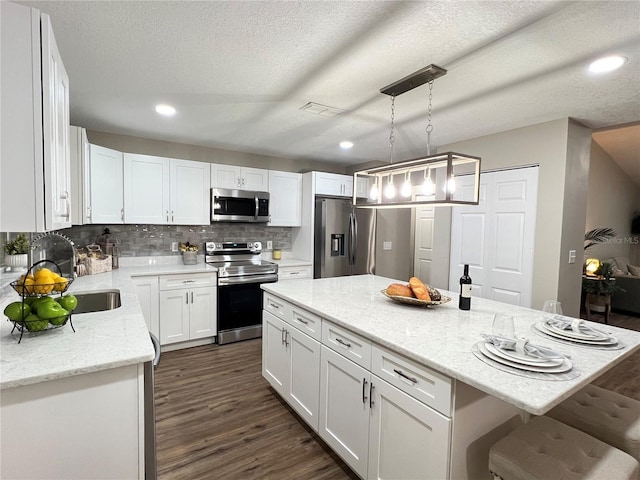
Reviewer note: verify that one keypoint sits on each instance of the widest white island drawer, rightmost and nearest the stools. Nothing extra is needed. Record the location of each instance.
(422, 383)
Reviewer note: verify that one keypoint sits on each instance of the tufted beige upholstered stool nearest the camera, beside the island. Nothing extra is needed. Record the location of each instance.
(547, 449)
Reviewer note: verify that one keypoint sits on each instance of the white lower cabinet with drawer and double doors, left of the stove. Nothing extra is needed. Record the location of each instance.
(187, 307)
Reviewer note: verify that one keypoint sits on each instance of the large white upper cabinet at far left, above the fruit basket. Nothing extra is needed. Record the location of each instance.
(35, 151)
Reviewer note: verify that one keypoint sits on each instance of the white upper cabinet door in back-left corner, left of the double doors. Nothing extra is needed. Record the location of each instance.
(106, 188)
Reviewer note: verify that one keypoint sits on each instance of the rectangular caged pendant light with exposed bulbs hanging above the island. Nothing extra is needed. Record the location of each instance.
(437, 173)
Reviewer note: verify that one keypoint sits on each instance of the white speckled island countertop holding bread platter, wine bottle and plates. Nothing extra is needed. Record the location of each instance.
(441, 337)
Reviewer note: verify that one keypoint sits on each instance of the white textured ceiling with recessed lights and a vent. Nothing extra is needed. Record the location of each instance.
(239, 71)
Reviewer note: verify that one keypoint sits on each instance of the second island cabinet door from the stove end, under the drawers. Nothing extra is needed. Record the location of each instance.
(304, 375)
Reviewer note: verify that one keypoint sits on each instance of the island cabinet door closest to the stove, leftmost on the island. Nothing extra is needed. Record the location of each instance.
(275, 357)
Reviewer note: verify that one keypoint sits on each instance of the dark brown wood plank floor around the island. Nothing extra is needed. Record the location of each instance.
(217, 418)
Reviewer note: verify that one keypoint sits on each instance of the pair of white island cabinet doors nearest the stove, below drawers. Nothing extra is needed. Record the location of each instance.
(291, 364)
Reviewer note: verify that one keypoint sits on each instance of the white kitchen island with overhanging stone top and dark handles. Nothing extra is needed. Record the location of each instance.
(468, 404)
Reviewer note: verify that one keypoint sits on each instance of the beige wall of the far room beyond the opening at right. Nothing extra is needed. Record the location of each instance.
(612, 199)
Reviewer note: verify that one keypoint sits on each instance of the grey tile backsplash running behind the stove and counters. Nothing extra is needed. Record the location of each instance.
(150, 240)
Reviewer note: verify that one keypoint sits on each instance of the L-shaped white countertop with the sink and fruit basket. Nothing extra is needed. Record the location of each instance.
(102, 340)
